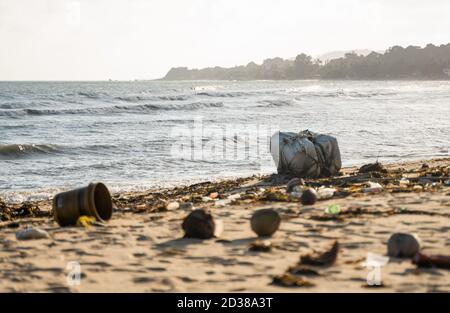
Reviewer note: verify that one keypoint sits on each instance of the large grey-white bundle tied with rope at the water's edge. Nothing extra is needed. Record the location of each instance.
(305, 154)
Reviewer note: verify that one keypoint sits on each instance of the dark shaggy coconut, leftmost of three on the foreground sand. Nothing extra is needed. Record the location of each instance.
(199, 224)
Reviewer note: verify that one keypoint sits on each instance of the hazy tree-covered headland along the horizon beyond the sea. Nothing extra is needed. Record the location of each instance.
(412, 62)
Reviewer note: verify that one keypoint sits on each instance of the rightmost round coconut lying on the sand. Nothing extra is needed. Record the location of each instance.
(401, 245)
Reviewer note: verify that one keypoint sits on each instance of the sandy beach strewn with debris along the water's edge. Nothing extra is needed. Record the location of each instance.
(142, 249)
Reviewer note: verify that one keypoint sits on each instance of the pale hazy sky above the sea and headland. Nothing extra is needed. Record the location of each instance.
(128, 39)
